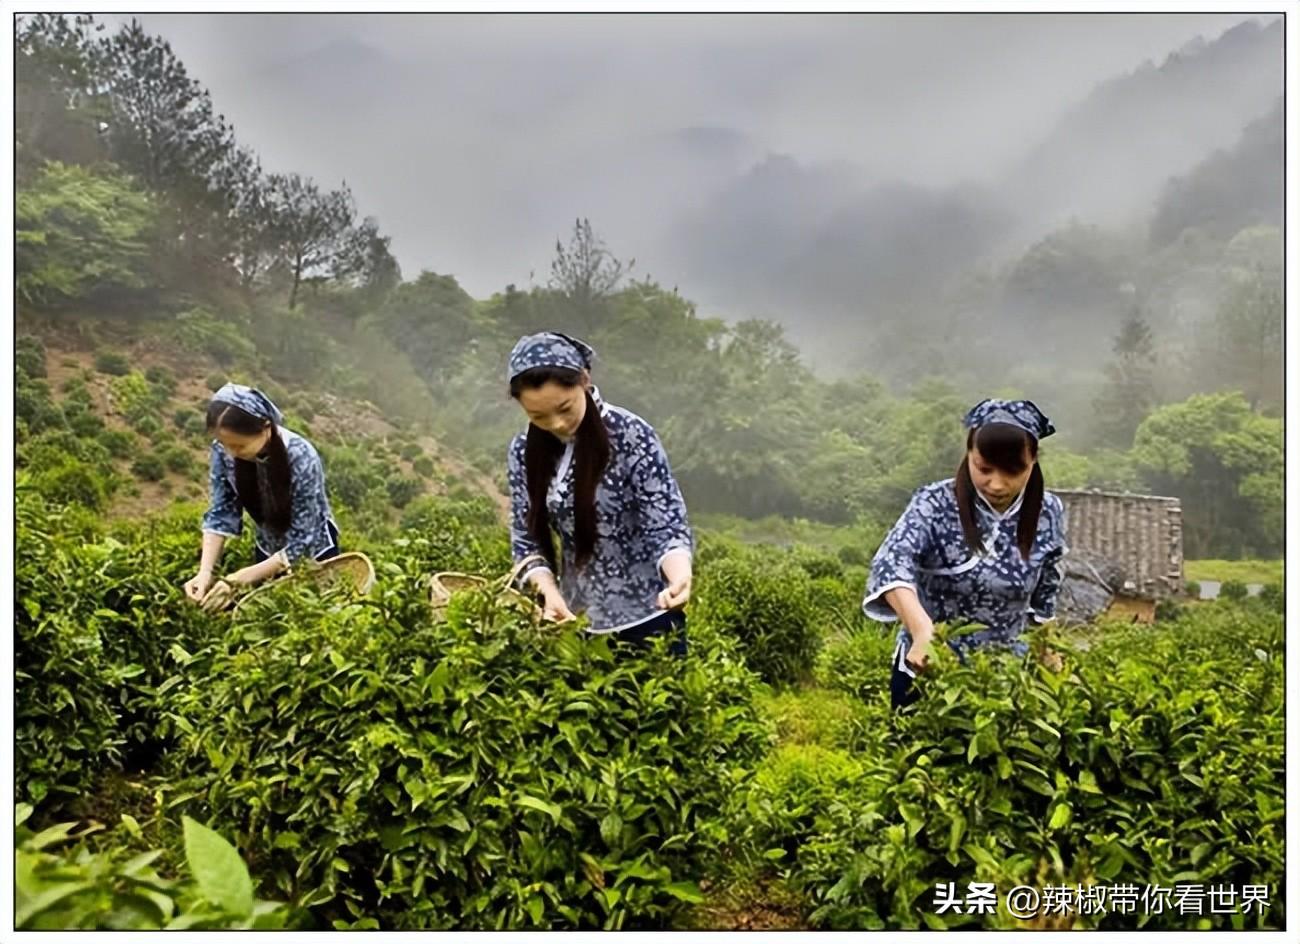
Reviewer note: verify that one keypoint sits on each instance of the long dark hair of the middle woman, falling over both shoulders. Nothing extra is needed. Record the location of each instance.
(543, 454)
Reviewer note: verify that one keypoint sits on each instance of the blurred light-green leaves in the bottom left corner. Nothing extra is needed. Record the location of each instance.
(62, 884)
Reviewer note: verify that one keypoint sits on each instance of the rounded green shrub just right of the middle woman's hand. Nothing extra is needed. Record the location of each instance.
(766, 605)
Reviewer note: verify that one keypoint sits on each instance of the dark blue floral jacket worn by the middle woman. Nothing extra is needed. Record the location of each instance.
(642, 518)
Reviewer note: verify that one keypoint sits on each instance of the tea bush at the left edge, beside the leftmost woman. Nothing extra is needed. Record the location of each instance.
(93, 644)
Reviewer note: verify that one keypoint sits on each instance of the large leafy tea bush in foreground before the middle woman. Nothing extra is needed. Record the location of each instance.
(470, 774)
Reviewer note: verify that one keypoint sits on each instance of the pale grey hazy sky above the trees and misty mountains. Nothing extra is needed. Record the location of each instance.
(478, 138)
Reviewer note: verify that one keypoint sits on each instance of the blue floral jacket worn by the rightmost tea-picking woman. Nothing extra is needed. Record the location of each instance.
(928, 552)
